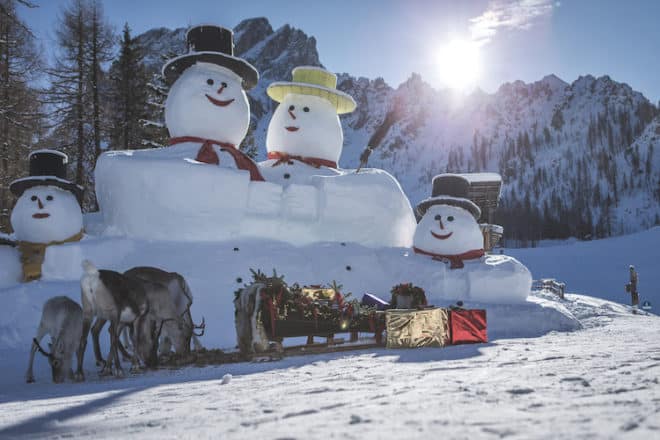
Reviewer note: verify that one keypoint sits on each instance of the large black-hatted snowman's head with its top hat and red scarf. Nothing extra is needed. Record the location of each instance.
(207, 110)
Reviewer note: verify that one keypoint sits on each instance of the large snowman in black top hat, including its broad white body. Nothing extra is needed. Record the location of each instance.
(197, 187)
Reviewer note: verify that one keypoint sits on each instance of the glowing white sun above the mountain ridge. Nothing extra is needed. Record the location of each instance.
(459, 64)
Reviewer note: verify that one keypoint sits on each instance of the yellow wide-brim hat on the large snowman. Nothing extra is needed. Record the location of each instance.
(314, 81)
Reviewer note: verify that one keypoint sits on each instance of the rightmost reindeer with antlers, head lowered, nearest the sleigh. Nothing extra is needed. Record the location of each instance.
(178, 332)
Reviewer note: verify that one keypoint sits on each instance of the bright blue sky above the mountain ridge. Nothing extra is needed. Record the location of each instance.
(524, 39)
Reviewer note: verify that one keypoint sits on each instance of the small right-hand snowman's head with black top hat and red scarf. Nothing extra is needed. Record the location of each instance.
(447, 226)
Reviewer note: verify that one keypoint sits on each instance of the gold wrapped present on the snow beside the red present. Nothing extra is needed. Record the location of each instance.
(417, 328)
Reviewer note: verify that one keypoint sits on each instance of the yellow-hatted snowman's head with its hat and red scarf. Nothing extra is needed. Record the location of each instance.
(305, 136)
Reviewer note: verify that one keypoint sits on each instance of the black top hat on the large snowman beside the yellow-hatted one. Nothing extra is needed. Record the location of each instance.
(215, 45)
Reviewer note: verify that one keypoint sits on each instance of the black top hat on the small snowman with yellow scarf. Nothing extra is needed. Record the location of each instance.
(47, 168)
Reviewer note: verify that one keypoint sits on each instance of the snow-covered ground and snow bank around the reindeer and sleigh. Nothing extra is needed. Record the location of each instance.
(536, 378)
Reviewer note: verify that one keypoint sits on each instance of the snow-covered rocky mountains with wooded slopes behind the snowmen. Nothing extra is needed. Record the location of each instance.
(577, 159)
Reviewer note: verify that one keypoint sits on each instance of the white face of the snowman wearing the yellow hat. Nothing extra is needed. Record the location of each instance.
(307, 126)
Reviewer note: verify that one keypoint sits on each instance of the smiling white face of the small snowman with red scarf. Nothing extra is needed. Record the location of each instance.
(448, 230)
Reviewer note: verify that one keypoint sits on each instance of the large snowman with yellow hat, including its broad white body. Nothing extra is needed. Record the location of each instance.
(320, 201)
